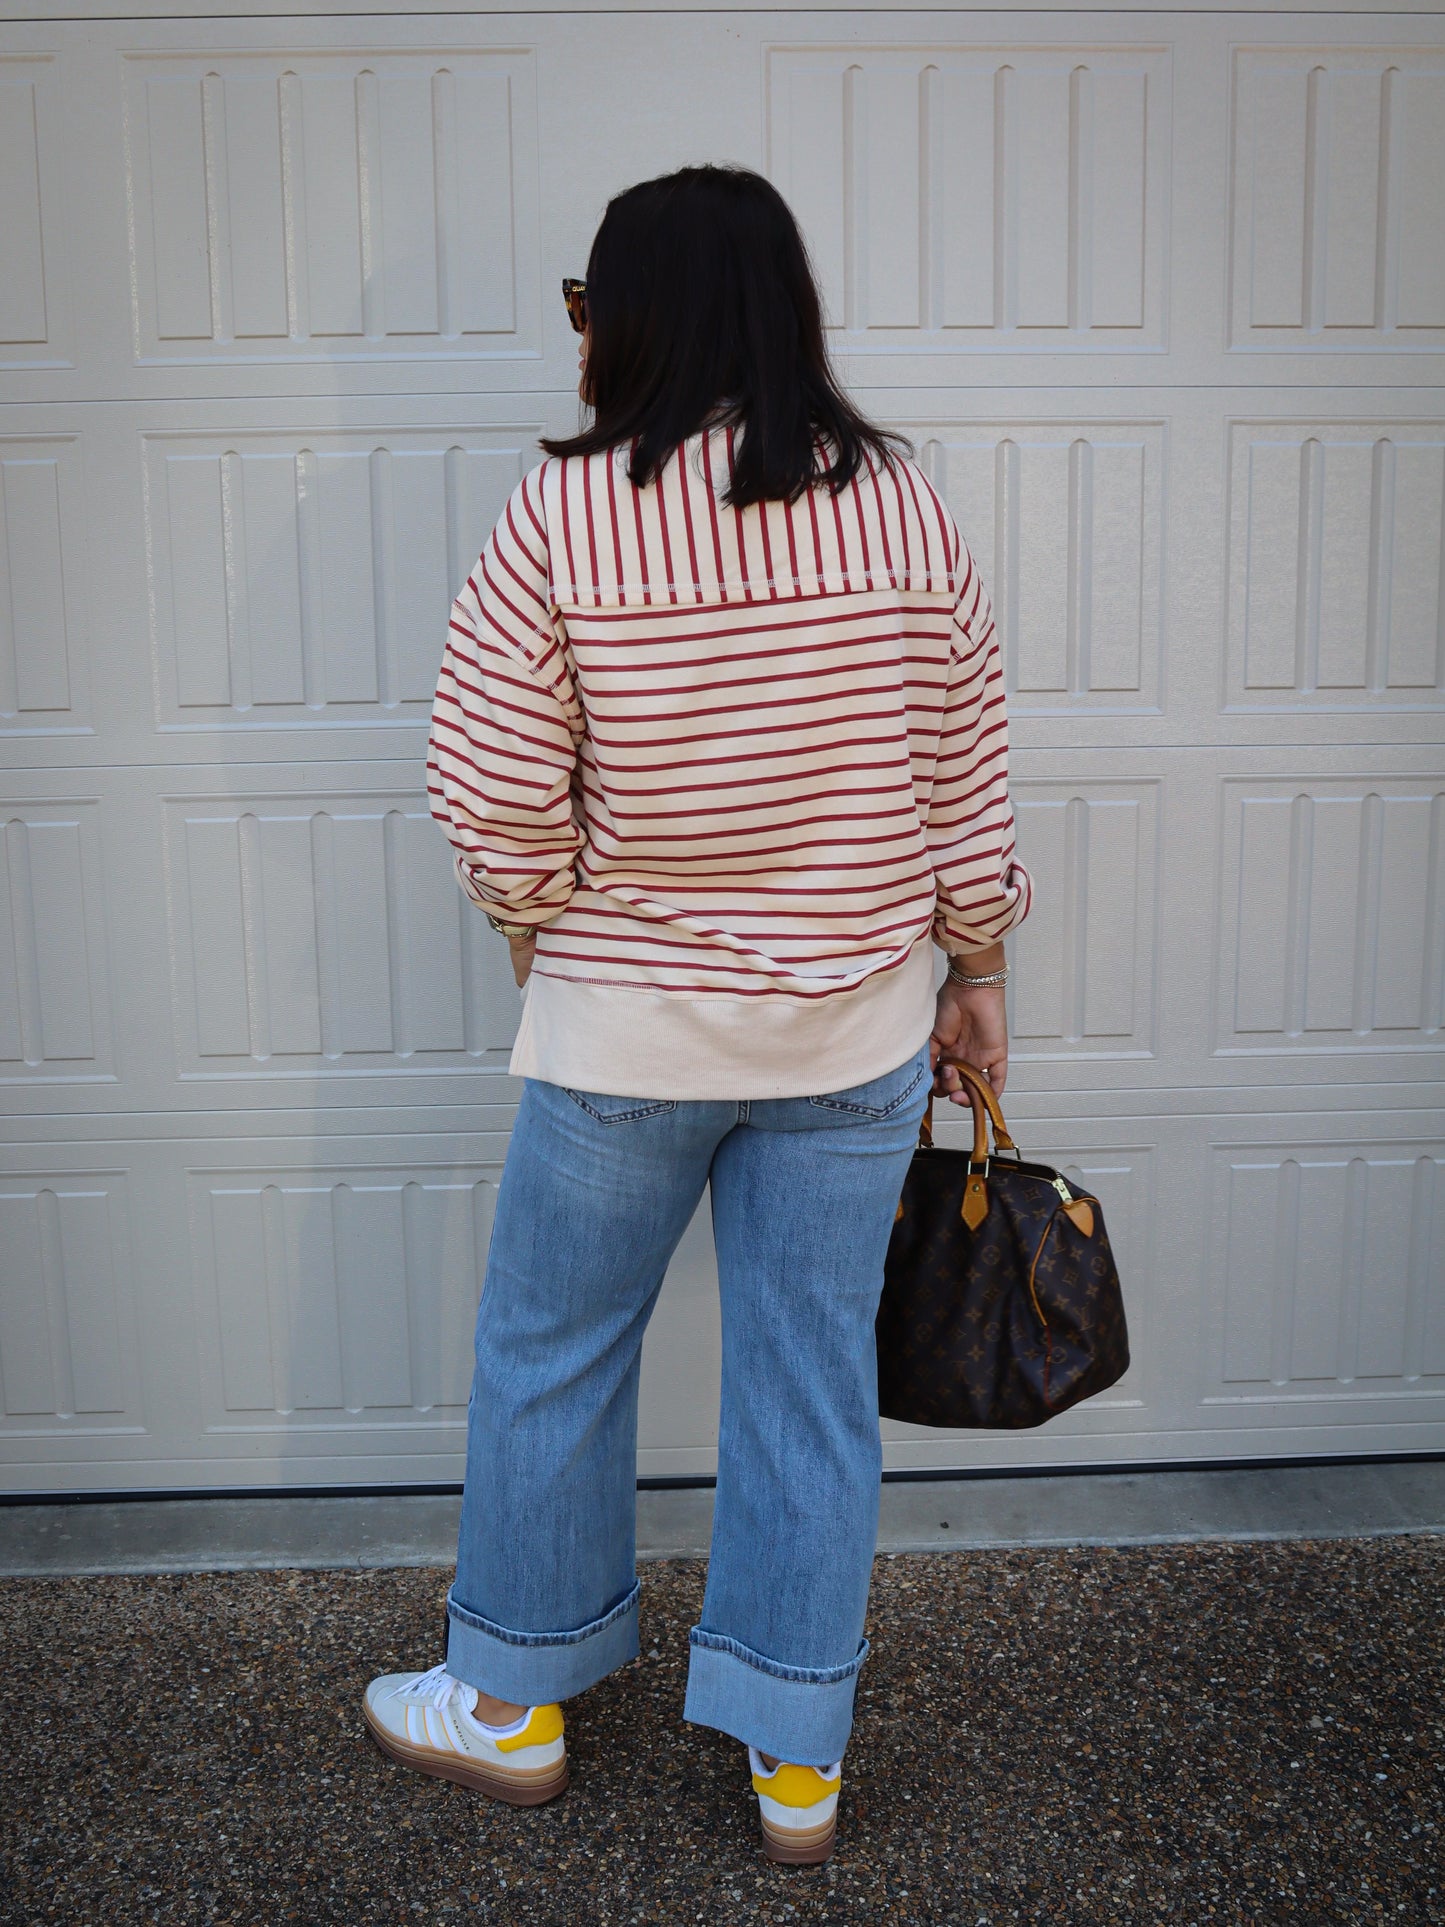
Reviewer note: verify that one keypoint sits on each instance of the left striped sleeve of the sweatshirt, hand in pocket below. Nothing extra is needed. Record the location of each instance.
(506, 726)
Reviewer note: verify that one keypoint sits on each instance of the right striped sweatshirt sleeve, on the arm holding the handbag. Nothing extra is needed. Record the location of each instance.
(984, 889)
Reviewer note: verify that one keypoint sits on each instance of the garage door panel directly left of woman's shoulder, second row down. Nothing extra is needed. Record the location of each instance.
(300, 575)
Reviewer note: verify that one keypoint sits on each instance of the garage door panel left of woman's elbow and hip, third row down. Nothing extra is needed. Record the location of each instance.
(327, 934)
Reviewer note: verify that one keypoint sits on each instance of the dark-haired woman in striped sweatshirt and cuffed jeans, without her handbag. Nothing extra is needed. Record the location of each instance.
(720, 743)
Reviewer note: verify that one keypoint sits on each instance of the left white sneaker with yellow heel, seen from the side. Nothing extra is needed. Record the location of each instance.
(427, 1722)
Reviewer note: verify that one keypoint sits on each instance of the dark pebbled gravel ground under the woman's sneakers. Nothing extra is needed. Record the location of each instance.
(1209, 1733)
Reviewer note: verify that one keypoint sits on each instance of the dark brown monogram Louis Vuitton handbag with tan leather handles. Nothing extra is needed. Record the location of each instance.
(1001, 1300)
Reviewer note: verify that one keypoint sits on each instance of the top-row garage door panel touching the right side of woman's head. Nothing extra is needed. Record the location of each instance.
(887, 153)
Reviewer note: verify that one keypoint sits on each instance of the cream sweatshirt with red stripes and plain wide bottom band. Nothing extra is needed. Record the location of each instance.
(739, 768)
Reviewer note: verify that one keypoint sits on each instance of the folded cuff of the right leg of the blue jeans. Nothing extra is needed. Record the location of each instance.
(797, 1714)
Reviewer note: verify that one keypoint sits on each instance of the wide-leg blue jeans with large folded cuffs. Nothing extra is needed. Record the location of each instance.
(594, 1200)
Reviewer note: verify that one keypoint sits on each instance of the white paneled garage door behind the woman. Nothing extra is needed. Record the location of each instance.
(1159, 294)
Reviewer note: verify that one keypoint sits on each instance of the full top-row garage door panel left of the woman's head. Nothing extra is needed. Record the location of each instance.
(330, 203)
